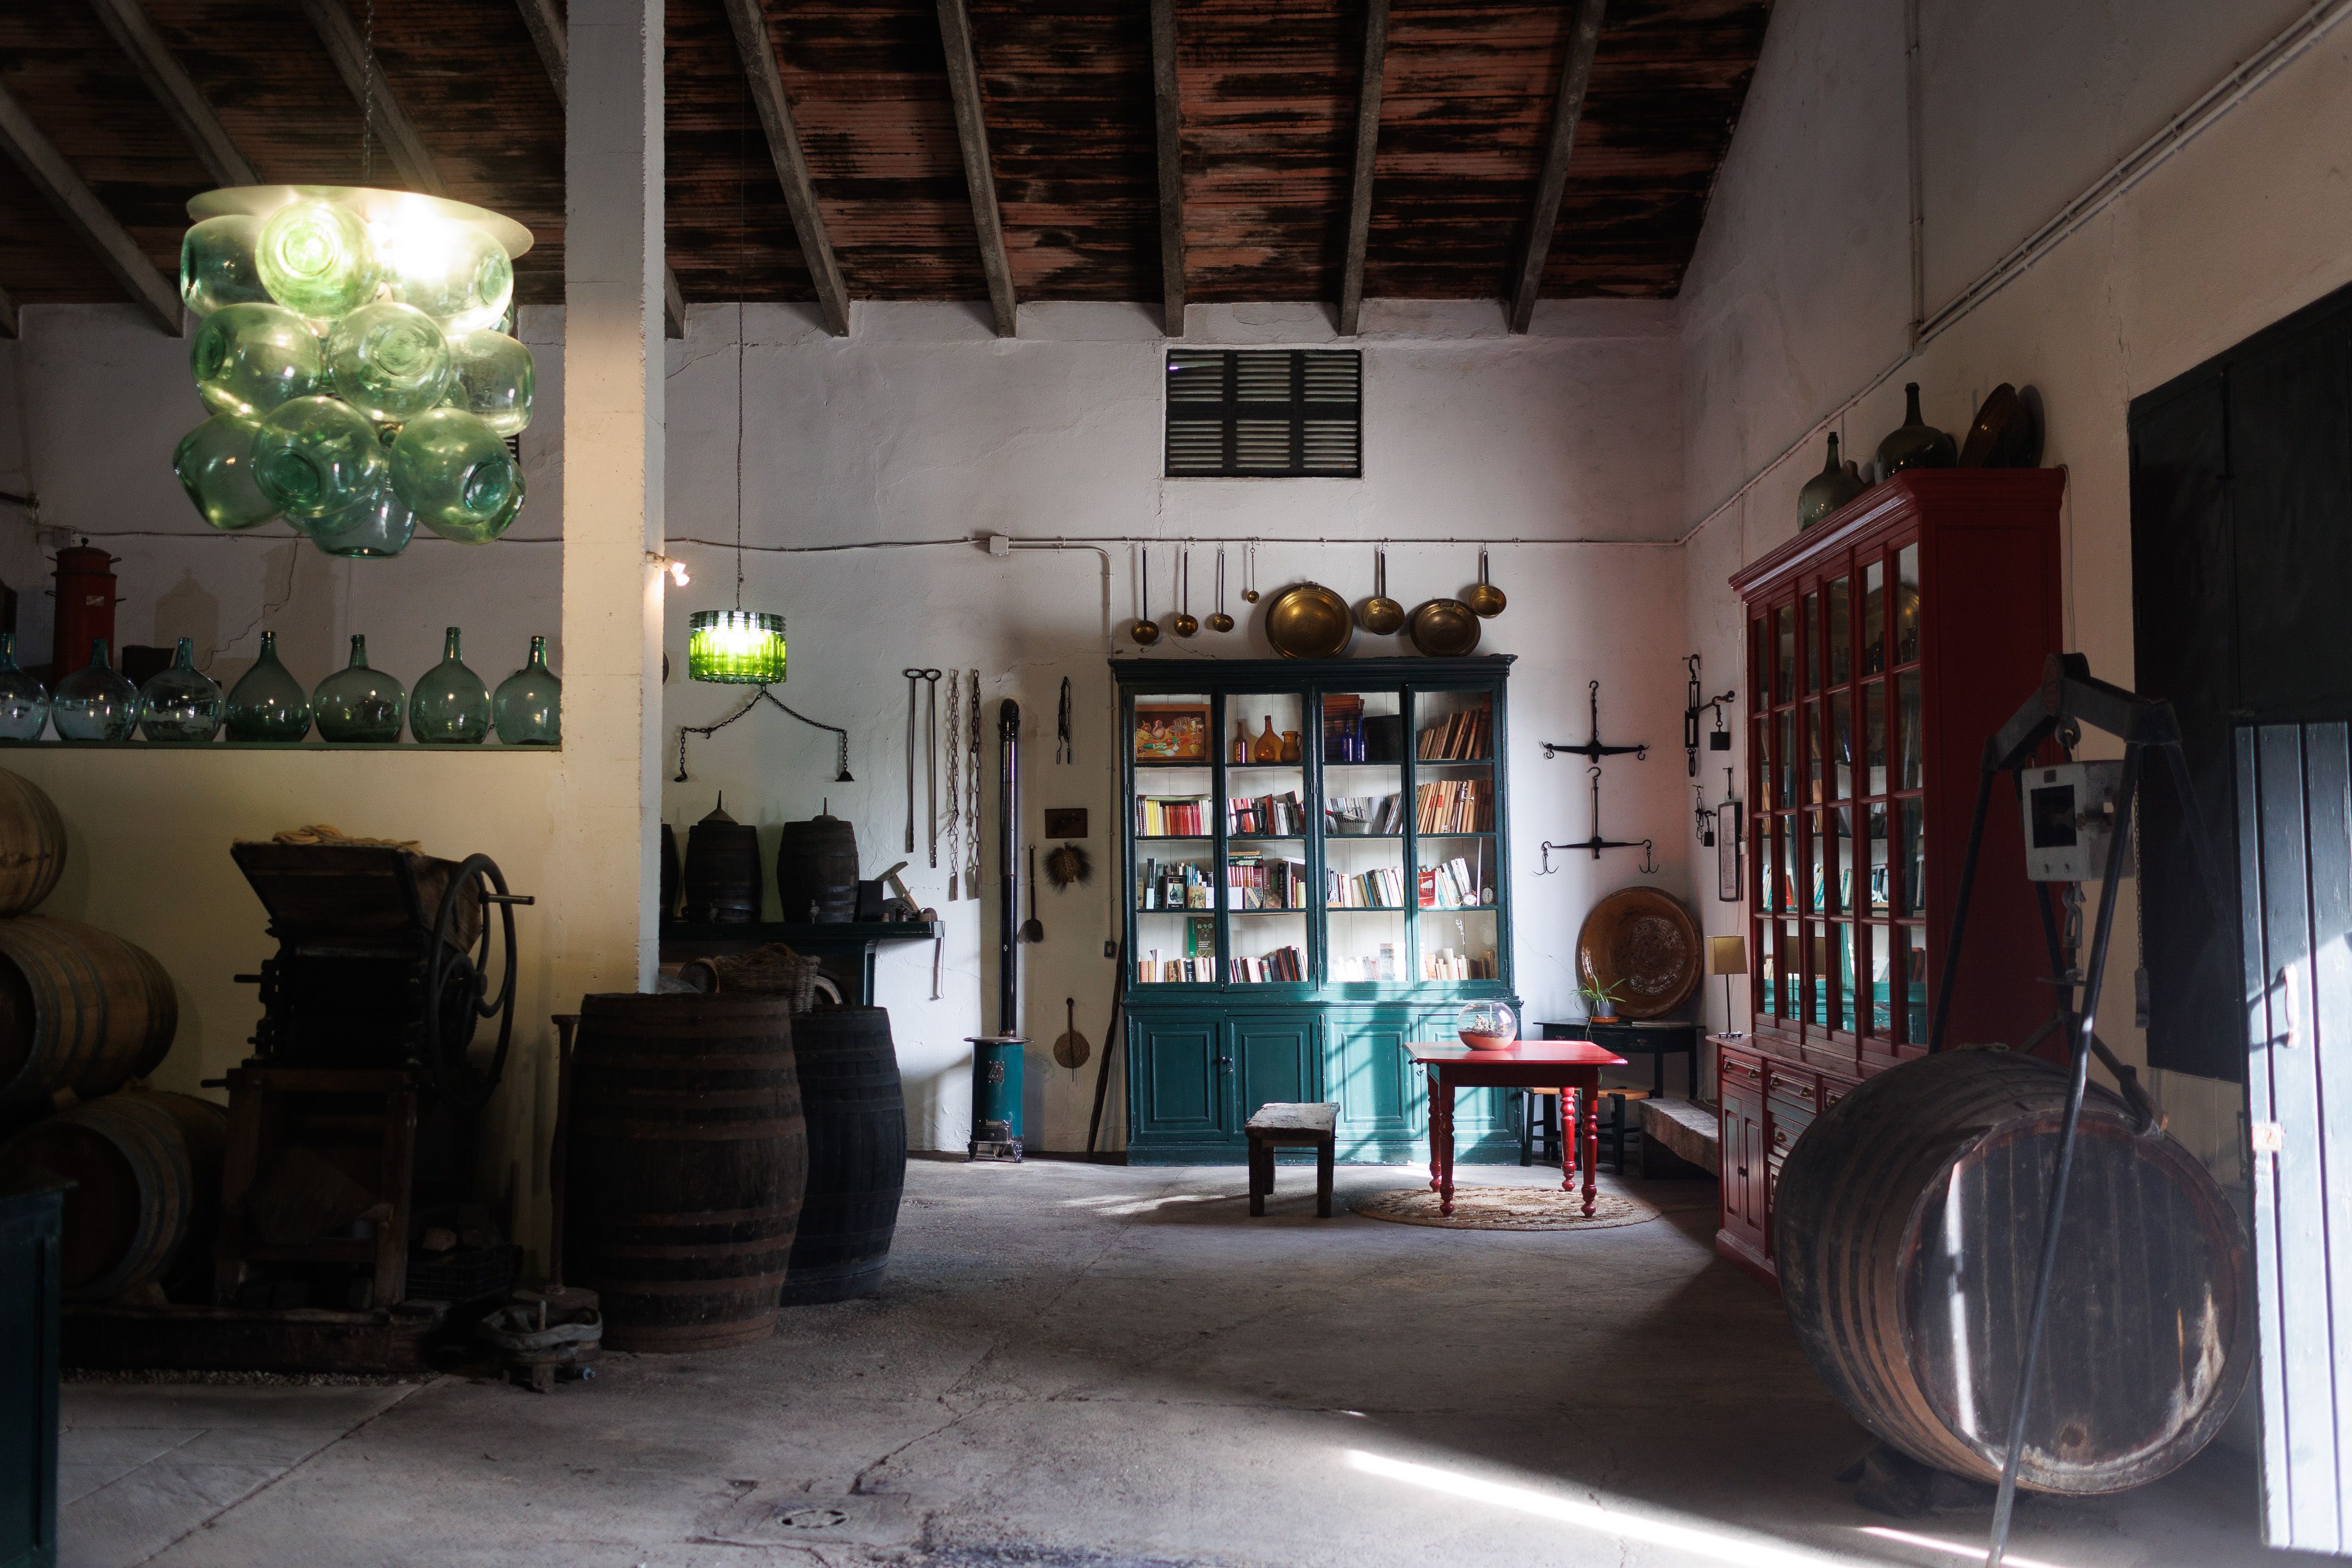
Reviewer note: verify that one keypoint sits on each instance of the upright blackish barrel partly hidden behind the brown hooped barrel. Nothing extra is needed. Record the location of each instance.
(857, 1153)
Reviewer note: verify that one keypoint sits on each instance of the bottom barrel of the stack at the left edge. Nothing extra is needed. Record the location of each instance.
(147, 1188)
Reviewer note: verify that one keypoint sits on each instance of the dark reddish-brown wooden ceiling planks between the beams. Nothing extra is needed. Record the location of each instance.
(1267, 105)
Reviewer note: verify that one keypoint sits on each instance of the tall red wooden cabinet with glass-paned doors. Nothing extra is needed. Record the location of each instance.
(1885, 648)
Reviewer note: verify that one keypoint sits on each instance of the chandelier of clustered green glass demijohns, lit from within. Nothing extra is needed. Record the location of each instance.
(356, 368)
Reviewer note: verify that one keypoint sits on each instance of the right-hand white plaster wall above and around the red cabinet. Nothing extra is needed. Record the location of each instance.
(1798, 295)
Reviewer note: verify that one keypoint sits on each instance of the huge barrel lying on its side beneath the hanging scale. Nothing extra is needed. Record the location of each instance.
(1909, 1235)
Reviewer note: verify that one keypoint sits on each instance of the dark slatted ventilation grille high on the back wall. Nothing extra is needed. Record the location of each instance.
(1255, 413)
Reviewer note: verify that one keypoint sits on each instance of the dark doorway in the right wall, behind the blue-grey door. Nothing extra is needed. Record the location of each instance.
(2243, 584)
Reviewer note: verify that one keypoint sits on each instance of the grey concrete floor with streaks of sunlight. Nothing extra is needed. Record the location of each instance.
(1088, 1367)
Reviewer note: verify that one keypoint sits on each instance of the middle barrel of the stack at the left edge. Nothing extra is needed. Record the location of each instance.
(81, 1012)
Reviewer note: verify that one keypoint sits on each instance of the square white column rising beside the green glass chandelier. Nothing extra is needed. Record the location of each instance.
(603, 925)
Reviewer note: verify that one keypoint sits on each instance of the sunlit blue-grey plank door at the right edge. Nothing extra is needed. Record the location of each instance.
(2294, 815)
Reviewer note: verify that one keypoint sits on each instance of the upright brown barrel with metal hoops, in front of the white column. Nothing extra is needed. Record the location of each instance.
(688, 1160)
